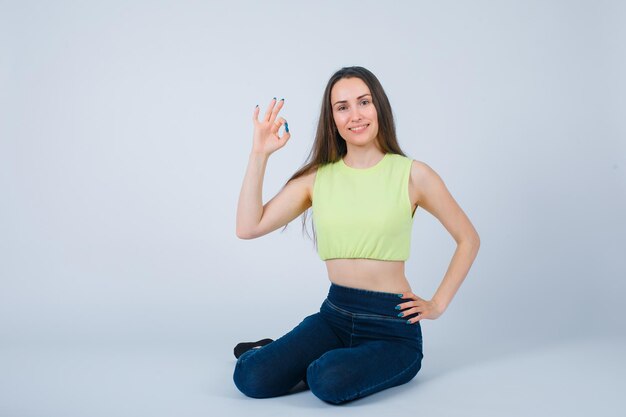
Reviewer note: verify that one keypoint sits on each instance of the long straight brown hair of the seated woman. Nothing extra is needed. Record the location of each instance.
(329, 146)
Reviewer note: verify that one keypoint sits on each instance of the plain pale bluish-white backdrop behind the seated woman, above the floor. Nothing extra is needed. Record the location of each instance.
(125, 129)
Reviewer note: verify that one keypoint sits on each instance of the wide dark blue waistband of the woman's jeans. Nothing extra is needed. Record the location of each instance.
(362, 301)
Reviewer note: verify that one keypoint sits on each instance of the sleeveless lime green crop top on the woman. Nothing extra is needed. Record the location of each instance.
(363, 213)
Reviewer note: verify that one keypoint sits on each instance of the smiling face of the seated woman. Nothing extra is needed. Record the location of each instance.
(353, 111)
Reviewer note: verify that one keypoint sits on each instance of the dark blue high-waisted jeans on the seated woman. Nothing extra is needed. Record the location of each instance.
(354, 346)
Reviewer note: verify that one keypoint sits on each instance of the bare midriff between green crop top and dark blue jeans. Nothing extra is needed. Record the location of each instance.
(368, 274)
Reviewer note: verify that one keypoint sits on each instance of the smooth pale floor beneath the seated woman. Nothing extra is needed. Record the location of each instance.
(573, 378)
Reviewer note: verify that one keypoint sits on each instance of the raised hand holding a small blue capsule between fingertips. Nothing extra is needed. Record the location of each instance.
(266, 139)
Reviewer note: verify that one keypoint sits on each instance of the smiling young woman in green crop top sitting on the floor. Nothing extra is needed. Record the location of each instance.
(364, 192)
